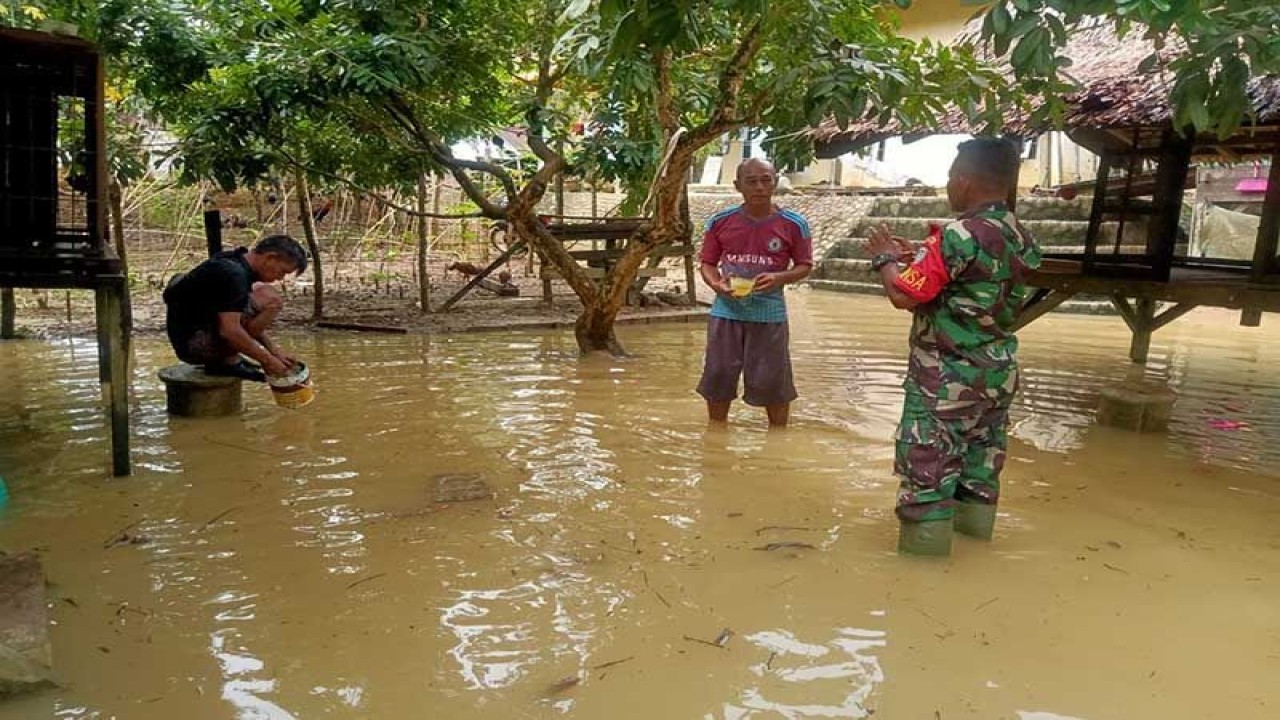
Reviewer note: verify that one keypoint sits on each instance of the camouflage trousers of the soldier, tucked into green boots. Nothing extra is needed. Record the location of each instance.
(950, 452)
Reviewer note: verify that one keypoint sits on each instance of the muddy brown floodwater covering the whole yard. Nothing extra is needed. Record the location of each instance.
(295, 564)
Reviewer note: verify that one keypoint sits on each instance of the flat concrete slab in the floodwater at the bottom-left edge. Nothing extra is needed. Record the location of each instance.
(26, 659)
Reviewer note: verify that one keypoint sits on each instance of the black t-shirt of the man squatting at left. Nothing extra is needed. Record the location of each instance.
(220, 285)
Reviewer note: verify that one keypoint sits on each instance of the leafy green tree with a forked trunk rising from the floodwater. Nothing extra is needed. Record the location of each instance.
(365, 92)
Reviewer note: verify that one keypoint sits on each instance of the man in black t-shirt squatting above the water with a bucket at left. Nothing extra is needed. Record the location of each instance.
(222, 309)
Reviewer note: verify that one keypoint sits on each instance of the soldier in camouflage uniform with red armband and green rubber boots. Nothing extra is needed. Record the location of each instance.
(964, 286)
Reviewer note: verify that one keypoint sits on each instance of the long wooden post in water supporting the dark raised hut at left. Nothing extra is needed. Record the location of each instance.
(115, 368)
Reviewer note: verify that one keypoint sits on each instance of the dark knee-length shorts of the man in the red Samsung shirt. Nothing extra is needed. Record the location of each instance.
(758, 353)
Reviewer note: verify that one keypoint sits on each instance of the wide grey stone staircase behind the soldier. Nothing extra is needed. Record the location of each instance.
(1059, 226)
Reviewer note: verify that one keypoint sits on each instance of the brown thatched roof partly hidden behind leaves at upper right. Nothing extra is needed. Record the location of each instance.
(1114, 97)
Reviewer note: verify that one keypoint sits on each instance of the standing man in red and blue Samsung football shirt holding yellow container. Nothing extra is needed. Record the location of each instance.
(749, 254)
